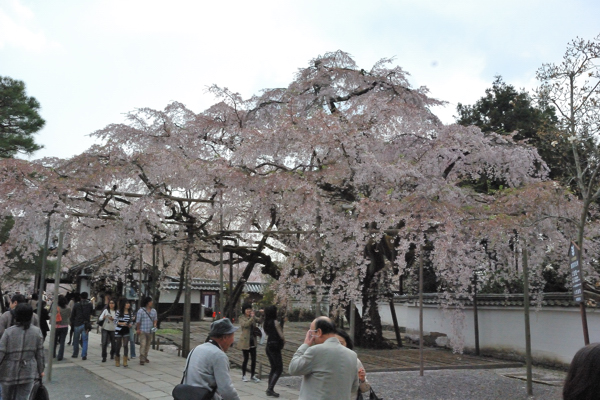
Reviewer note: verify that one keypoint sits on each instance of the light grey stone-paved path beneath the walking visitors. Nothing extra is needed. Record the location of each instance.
(157, 379)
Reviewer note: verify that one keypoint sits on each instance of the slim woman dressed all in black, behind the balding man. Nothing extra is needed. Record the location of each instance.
(275, 343)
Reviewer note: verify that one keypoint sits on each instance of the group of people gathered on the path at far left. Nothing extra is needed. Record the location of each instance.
(23, 333)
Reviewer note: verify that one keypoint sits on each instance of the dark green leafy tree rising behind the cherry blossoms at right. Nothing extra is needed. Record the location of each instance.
(505, 110)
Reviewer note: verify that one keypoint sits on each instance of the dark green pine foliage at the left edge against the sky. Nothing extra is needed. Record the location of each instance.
(19, 119)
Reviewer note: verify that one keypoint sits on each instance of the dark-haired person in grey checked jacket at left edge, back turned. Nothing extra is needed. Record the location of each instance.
(21, 355)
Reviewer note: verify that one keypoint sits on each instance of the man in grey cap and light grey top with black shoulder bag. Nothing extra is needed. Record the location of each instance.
(209, 365)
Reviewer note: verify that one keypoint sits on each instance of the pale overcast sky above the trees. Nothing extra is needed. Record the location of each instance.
(89, 62)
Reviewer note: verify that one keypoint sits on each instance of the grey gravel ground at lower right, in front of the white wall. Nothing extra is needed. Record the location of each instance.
(449, 385)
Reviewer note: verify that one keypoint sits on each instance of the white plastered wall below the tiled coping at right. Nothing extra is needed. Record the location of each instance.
(556, 332)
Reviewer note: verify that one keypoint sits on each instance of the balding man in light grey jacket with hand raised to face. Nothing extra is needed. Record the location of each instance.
(329, 369)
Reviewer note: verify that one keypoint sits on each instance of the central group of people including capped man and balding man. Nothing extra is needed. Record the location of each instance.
(326, 361)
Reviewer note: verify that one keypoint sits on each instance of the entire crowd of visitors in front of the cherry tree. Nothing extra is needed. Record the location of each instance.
(329, 367)
